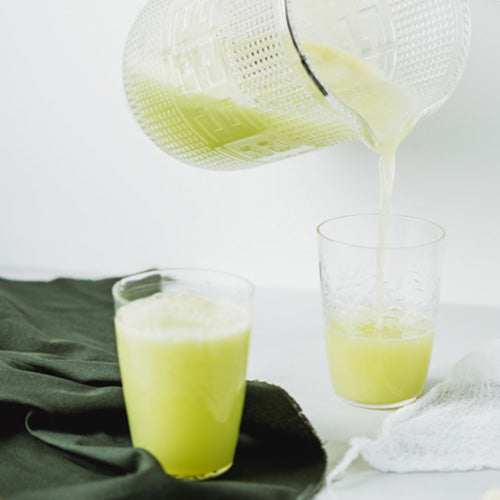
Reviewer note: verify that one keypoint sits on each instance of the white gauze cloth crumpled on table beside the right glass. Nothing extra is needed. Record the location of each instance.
(454, 427)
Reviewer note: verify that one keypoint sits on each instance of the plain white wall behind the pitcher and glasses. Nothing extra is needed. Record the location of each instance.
(83, 192)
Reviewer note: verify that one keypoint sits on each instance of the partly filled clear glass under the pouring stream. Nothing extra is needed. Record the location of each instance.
(380, 305)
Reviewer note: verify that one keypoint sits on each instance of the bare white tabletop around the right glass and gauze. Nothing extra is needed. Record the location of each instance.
(287, 349)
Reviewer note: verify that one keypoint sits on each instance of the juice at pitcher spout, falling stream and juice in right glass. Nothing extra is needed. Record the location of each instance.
(375, 358)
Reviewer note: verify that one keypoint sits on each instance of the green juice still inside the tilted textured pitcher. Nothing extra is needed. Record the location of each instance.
(188, 123)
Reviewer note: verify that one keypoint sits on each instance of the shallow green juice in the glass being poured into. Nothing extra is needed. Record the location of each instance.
(378, 362)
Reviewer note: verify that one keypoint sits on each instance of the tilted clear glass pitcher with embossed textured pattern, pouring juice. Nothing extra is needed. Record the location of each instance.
(227, 84)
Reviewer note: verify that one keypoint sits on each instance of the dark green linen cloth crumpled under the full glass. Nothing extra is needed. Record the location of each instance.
(63, 426)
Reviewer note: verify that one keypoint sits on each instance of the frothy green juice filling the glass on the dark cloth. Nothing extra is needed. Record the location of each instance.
(183, 363)
